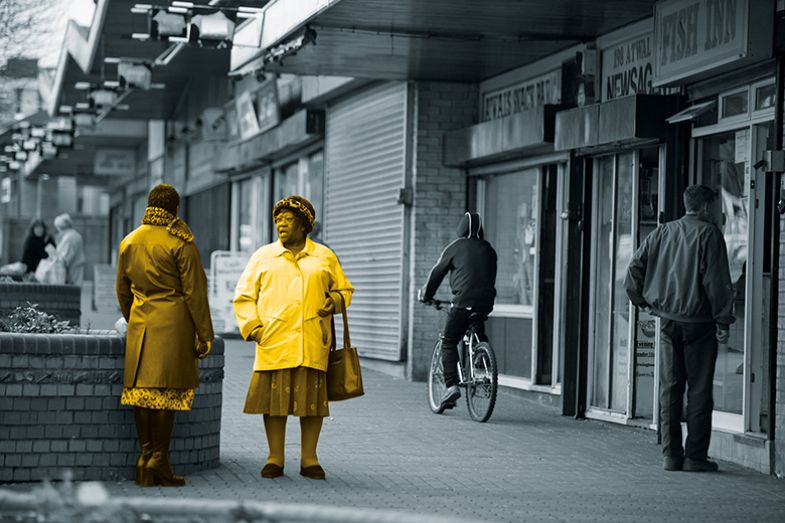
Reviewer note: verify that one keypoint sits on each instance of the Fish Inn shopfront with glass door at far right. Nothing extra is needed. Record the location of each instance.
(730, 123)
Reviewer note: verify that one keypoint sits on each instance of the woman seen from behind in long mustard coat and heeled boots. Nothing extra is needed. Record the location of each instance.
(162, 291)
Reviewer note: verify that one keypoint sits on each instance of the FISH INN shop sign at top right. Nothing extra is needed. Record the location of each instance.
(694, 37)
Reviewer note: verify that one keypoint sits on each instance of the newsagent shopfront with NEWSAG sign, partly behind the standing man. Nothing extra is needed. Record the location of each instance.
(622, 147)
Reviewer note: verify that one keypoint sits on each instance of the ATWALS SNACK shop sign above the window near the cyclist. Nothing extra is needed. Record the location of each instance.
(521, 96)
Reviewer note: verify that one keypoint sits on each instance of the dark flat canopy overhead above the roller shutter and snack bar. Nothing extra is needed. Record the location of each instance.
(457, 40)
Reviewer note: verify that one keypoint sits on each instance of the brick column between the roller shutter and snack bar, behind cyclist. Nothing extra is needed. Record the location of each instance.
(439, 202)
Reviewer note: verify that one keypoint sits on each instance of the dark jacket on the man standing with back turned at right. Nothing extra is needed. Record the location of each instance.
(681, 272)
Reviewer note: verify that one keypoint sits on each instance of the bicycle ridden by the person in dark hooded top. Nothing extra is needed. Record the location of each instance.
(480, 379)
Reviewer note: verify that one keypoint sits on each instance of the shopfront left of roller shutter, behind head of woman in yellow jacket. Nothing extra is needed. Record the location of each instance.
(269, 156)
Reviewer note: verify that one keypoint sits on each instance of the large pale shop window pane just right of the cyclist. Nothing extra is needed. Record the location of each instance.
(512, 200)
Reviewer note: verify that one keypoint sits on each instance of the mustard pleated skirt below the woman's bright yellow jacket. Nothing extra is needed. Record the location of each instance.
(300, 391)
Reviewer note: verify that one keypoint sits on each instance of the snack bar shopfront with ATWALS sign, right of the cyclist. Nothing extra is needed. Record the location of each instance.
(519, 184)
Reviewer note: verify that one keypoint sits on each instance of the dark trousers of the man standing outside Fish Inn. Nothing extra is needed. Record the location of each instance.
(688, 353)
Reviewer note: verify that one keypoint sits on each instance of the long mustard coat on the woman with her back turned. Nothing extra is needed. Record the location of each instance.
(162, 291)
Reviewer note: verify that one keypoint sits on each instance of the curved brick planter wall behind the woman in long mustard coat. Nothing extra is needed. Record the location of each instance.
(60, 408)
